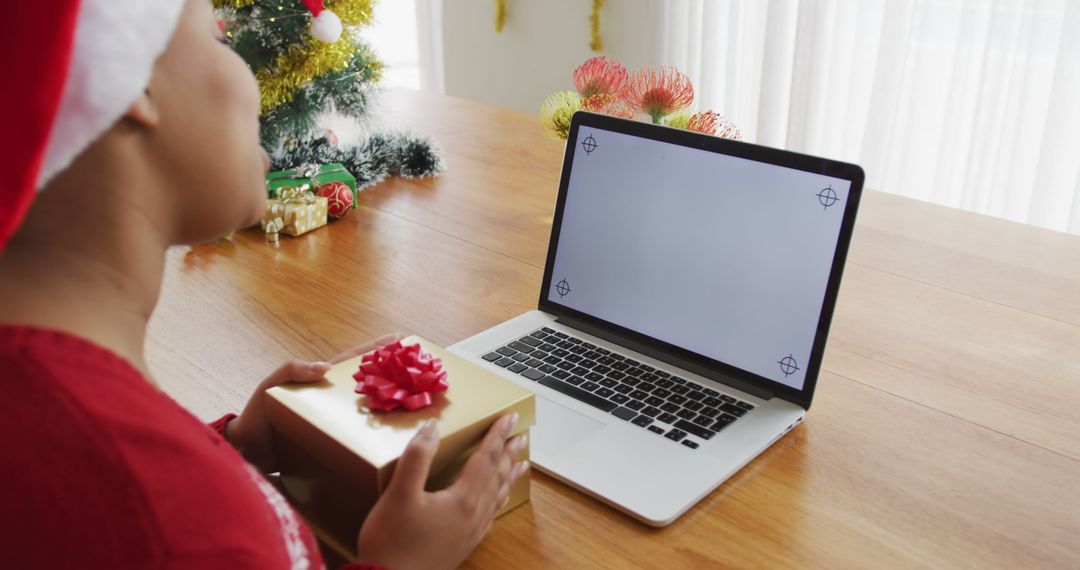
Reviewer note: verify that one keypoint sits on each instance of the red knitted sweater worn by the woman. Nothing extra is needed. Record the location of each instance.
(101, 470)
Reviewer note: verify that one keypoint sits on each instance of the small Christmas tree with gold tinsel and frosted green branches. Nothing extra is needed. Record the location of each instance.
(309, 60)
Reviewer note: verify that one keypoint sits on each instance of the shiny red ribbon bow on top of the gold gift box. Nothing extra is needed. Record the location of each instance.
(396, 376)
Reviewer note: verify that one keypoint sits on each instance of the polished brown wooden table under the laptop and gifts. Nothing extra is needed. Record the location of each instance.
(946, 427)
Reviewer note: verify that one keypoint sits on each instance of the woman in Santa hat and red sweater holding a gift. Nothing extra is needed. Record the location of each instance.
(128, 120)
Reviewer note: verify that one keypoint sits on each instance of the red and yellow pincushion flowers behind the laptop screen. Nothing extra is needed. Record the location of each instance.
(603, 86)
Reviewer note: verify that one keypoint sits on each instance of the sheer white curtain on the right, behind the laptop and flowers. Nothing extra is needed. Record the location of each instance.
(973, 104)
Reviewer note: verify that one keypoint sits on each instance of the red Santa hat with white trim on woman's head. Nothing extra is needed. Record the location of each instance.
(74, 70)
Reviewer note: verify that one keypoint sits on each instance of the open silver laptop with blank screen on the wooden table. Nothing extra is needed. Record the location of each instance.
(685, 306)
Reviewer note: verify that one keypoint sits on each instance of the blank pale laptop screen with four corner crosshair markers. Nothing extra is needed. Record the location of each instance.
(726, 257)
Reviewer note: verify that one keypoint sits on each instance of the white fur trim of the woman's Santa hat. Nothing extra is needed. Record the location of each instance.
(116, 46)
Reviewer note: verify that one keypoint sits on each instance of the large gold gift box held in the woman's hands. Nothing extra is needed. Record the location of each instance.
(337, 455)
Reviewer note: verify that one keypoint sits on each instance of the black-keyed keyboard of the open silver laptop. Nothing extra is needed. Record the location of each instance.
(654, 400)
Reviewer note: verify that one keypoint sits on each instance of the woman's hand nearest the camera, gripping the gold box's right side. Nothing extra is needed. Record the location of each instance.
(410, 528)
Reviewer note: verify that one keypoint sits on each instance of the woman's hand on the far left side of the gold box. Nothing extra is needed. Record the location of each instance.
(251, 433)
